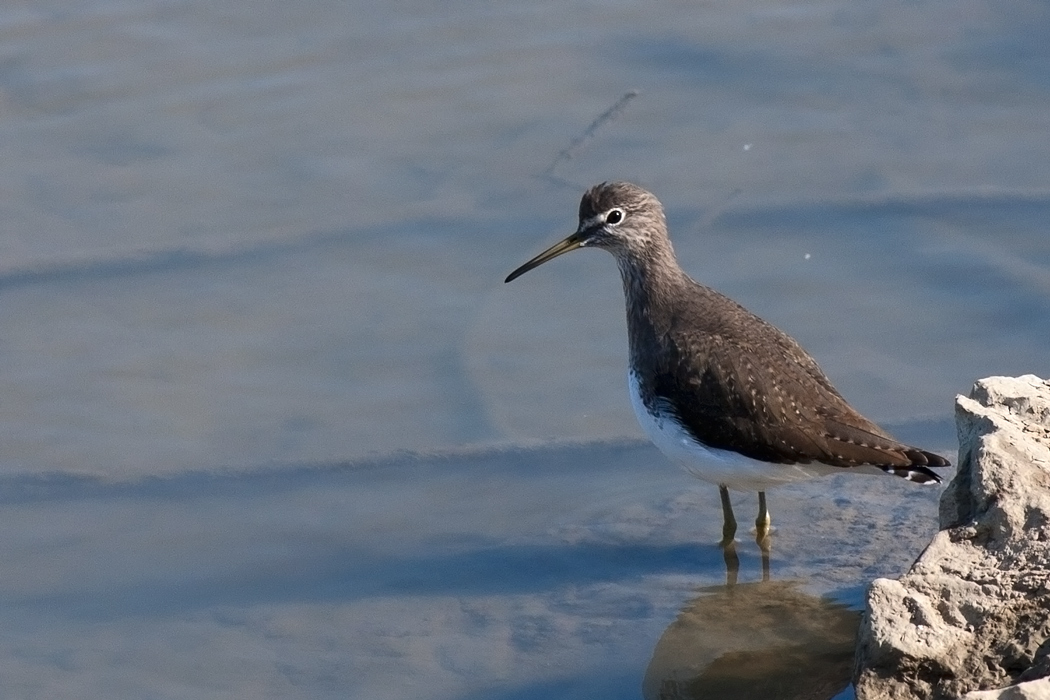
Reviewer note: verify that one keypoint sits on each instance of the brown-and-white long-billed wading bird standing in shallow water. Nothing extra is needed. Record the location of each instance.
(724, 394)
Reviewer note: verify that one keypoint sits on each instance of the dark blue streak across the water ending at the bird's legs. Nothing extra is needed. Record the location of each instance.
(337, 575)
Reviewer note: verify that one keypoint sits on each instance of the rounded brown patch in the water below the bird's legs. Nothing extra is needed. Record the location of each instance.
(764, 641)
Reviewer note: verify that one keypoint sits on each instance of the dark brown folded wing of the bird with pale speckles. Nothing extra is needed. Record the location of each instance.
(772, 402)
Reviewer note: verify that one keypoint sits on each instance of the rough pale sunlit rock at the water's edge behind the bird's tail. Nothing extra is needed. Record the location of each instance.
(973, 616)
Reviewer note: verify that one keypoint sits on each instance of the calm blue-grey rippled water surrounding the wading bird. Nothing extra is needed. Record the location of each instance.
(272, 426)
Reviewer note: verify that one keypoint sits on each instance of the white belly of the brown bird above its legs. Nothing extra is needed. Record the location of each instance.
(717, 466)
